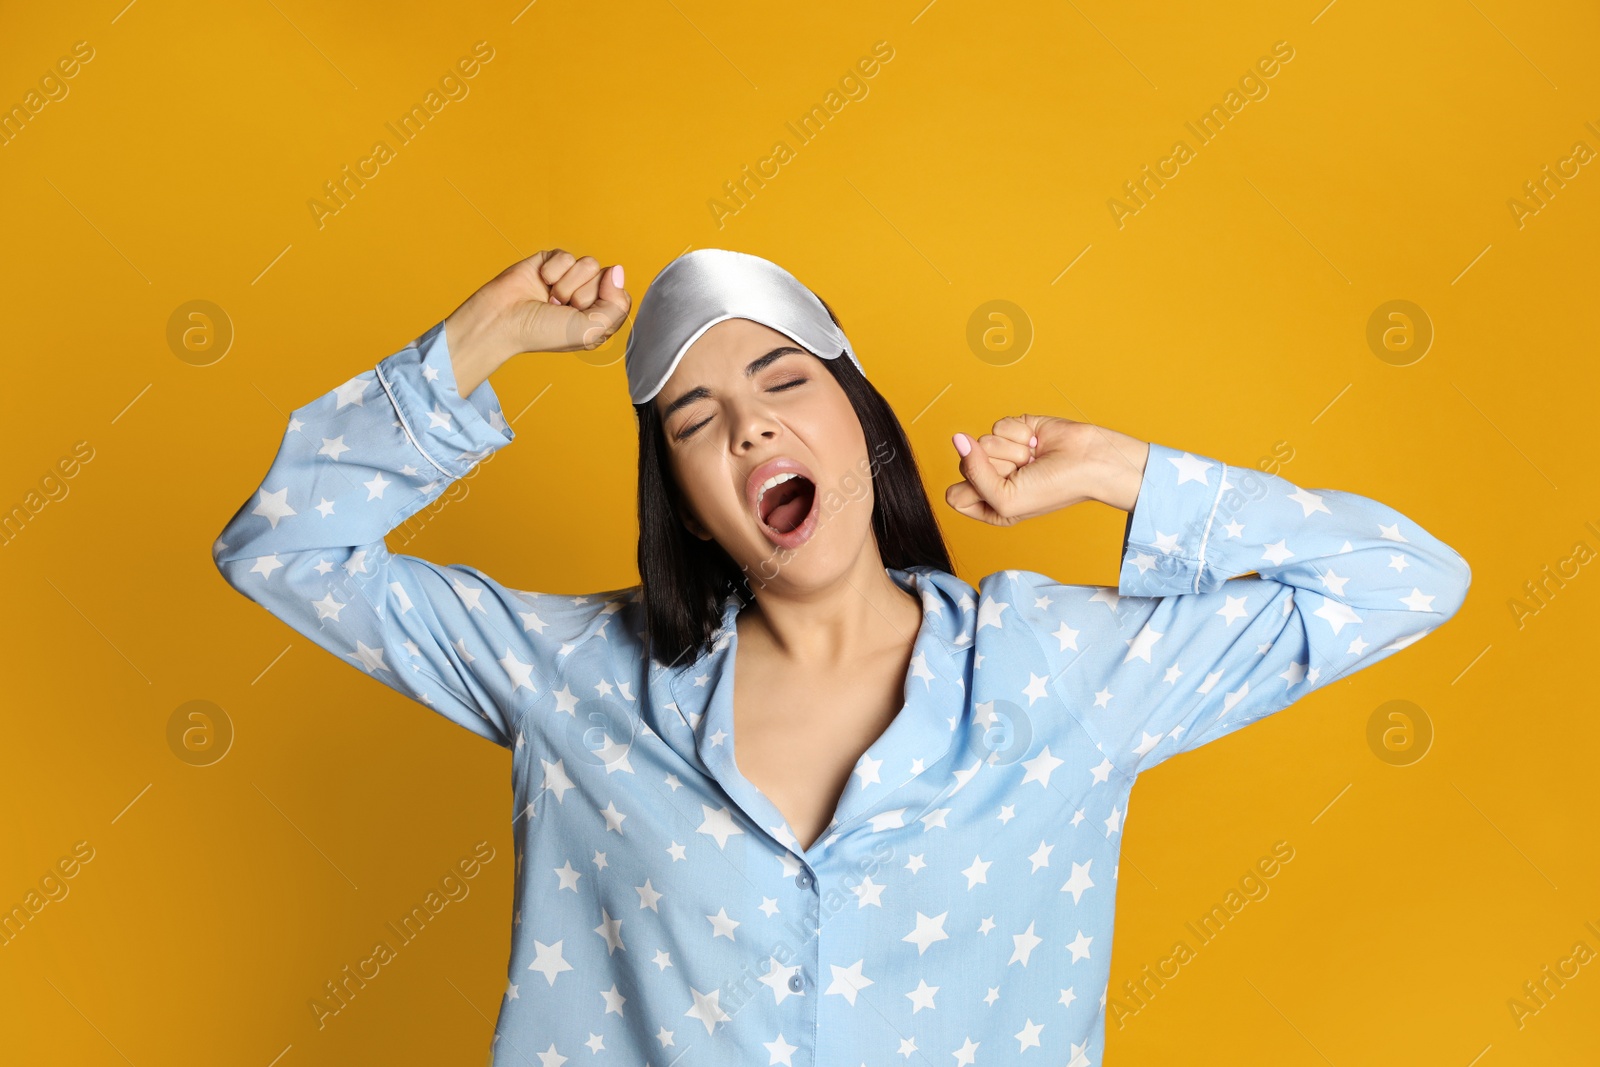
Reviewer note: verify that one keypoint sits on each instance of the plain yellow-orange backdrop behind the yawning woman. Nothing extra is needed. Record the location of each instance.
(1225, 318)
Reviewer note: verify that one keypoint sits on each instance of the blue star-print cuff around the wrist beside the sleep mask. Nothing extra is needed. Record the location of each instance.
(454, 433)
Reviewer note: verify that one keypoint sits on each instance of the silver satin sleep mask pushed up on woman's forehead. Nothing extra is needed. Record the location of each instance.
(710, 286)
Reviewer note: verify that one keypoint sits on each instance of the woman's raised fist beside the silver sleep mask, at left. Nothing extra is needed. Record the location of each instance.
(551, 302)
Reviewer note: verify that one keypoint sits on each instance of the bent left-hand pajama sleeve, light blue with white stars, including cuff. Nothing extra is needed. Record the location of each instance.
(308, 546)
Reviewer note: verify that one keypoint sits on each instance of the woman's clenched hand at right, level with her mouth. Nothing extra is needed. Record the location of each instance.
(1034, 465)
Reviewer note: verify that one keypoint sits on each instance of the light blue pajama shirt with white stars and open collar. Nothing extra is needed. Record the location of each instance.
(959, 908)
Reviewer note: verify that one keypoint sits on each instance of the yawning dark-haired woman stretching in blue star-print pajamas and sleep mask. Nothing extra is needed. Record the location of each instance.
(916, 849)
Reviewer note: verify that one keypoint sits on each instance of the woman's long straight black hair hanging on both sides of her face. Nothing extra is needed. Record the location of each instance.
(686, 581)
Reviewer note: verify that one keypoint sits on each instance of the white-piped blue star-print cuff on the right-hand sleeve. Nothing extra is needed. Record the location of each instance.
(1167, 533)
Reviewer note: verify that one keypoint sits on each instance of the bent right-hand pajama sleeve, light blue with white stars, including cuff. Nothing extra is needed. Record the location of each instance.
(1186, 652)
